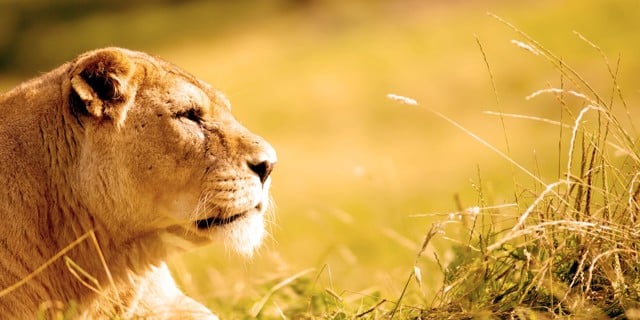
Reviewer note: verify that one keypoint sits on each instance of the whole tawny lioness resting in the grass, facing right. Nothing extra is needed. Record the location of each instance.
(108, 164)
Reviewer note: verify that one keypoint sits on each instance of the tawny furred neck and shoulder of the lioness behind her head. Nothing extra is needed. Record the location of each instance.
(58, 245)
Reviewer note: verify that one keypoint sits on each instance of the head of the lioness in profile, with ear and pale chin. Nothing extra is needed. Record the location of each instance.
(163, 146)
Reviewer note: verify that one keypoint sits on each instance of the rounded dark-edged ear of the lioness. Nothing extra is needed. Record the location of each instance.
(101, 80)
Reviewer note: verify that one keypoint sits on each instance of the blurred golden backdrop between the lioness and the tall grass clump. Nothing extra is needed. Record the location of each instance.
(311, 76)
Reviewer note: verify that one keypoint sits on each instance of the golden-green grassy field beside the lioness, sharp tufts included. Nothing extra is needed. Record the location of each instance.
(362, 179)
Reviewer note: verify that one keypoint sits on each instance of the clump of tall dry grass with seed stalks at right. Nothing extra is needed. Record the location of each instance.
(573, 249)
